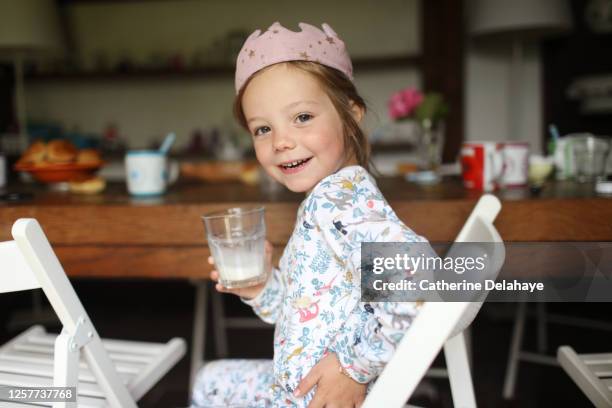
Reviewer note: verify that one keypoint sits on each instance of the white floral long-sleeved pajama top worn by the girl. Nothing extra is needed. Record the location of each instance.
(314, 295)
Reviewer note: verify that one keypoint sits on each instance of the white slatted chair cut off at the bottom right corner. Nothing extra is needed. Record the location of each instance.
(592, 373)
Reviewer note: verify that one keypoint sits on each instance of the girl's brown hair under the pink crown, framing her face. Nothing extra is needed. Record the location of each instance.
(342, 93)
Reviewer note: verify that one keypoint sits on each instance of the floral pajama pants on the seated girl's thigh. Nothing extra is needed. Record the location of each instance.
(234, 383)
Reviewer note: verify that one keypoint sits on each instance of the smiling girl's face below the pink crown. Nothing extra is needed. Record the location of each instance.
(297, 132)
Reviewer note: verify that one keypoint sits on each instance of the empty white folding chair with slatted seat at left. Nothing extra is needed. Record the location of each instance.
(113, 373)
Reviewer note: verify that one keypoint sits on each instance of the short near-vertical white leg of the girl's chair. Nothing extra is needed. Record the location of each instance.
(459, 373)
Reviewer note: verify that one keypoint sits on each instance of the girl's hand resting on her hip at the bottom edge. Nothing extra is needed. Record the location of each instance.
(334, 388)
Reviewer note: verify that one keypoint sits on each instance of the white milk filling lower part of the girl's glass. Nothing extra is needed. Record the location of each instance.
(239, 260)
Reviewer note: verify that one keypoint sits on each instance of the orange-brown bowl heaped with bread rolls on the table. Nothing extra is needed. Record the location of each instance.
(59, 161)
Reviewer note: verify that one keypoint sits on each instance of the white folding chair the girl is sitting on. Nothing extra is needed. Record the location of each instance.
(439, 324)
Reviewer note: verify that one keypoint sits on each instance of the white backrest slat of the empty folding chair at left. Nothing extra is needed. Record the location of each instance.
(15, 274)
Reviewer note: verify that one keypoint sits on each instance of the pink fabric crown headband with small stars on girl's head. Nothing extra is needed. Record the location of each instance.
(279, 44)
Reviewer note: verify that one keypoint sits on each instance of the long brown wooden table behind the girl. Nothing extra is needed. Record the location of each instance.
(115, 235)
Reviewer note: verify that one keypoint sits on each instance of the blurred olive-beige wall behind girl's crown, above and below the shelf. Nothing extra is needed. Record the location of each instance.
(145, 109)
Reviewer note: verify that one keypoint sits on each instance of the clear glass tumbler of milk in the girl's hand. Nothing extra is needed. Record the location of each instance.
(236, 238)
